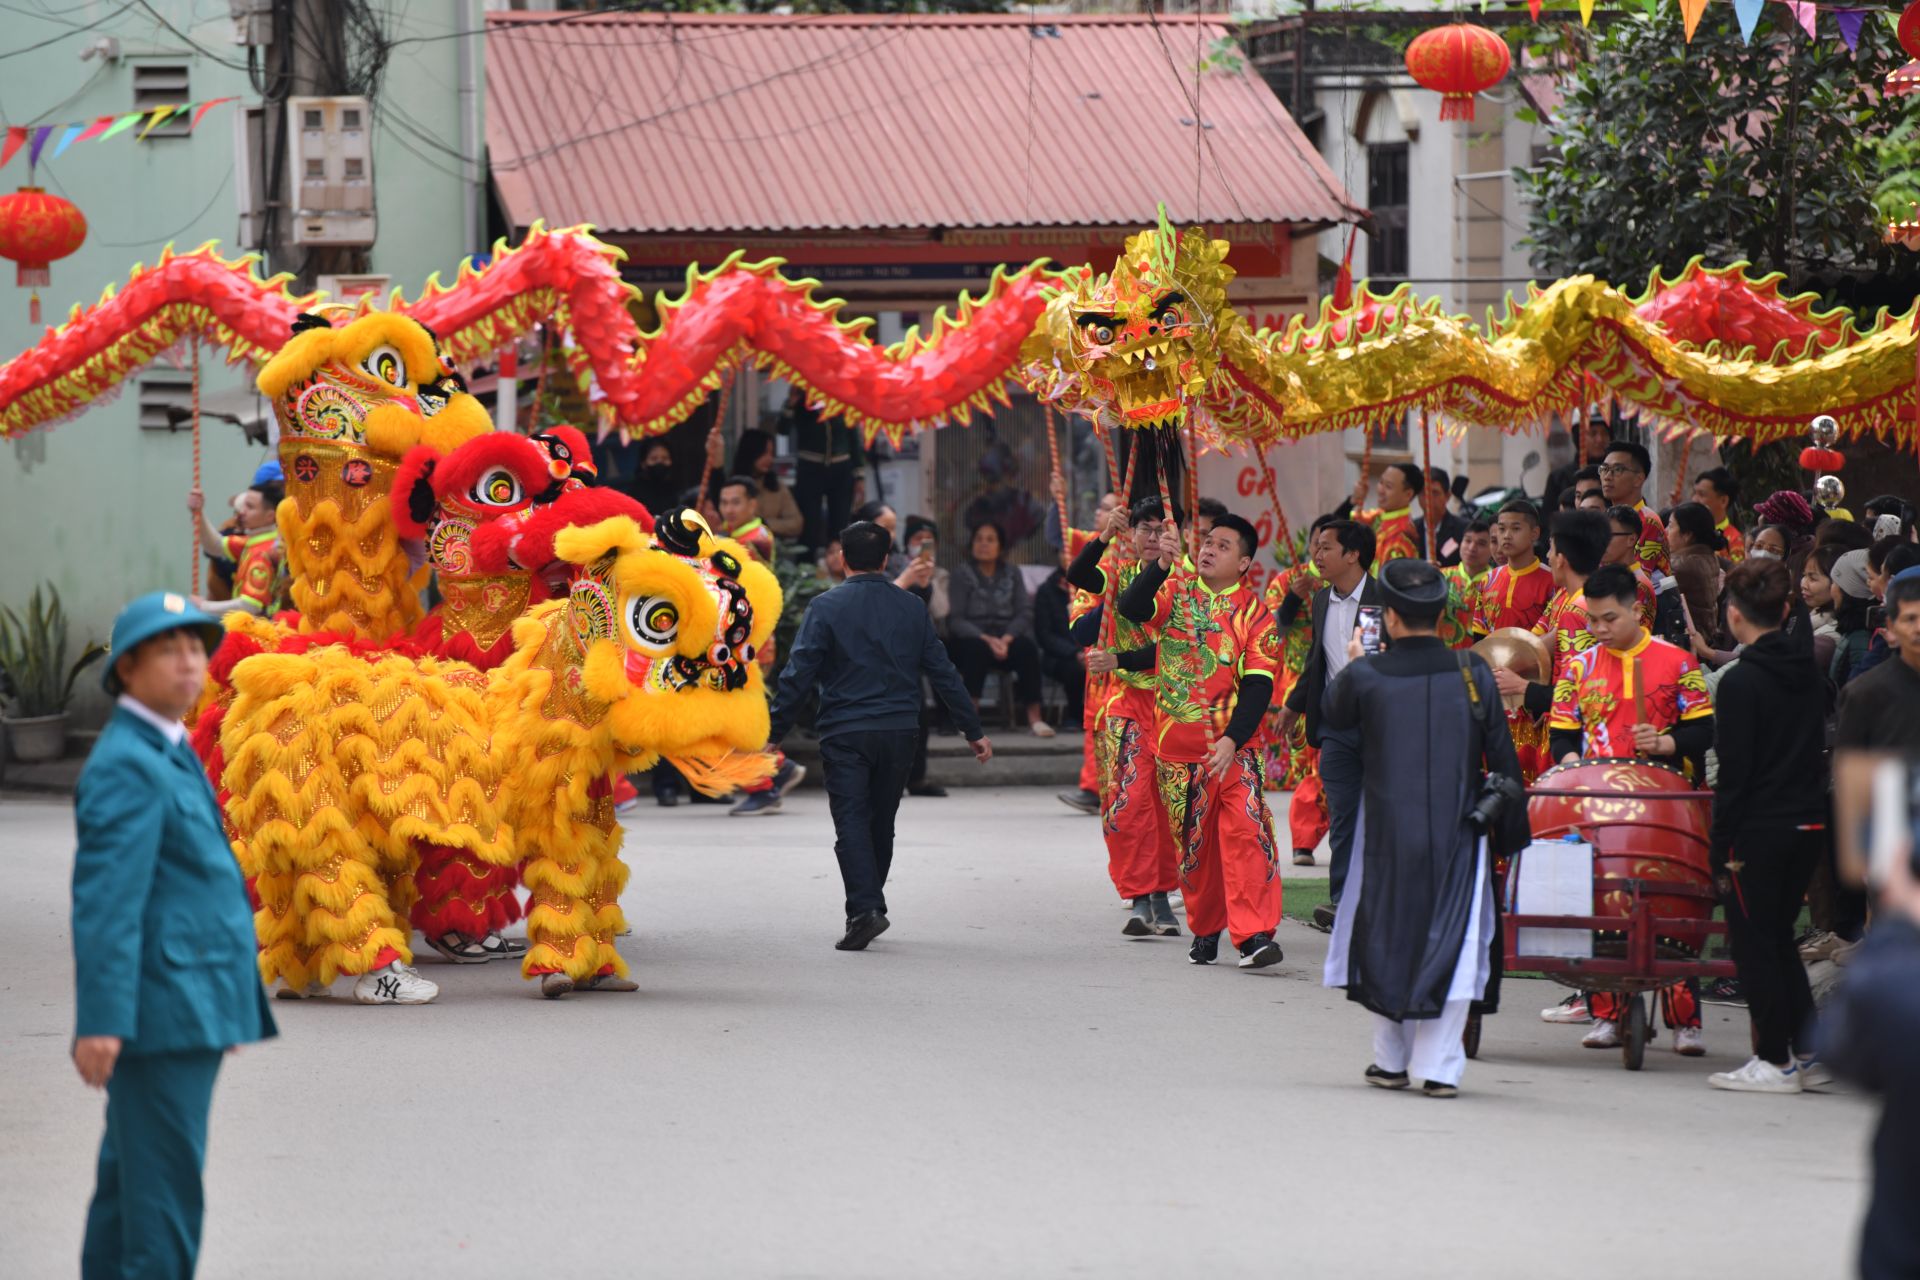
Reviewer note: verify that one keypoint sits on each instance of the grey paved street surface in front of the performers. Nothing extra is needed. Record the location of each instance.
(1001, 1087)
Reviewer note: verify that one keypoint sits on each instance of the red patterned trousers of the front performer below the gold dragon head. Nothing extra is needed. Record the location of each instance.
(1230, 868)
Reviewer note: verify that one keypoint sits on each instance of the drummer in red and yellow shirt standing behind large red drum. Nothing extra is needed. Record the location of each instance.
(1631, 696)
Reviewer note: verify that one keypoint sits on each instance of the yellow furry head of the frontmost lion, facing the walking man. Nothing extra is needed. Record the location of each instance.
(667, 627)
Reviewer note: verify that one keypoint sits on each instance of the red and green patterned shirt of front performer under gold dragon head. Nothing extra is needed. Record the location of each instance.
(1209, 644)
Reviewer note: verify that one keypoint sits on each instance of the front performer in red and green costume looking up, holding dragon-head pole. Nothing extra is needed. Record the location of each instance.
(1218, 655)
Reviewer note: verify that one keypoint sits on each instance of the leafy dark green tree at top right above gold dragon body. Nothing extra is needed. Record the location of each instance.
(1769, 153)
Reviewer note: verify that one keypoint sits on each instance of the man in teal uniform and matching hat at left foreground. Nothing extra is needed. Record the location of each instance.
(164, 949)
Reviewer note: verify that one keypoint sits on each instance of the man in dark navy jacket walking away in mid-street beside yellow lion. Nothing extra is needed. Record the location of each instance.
(865, 646)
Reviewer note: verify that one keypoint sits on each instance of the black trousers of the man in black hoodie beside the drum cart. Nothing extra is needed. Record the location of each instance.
(1760, 930)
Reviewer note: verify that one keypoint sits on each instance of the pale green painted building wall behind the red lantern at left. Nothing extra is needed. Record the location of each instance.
(97, 506)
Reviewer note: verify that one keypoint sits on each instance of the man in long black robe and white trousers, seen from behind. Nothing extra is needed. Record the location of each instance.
(1412, 941)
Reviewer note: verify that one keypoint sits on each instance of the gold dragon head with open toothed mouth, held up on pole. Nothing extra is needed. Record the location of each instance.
(1145, 339)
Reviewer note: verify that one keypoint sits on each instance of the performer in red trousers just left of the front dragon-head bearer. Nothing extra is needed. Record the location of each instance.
(1140, 847)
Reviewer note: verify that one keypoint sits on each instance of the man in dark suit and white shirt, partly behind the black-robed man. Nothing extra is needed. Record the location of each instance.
(1343, 552)
